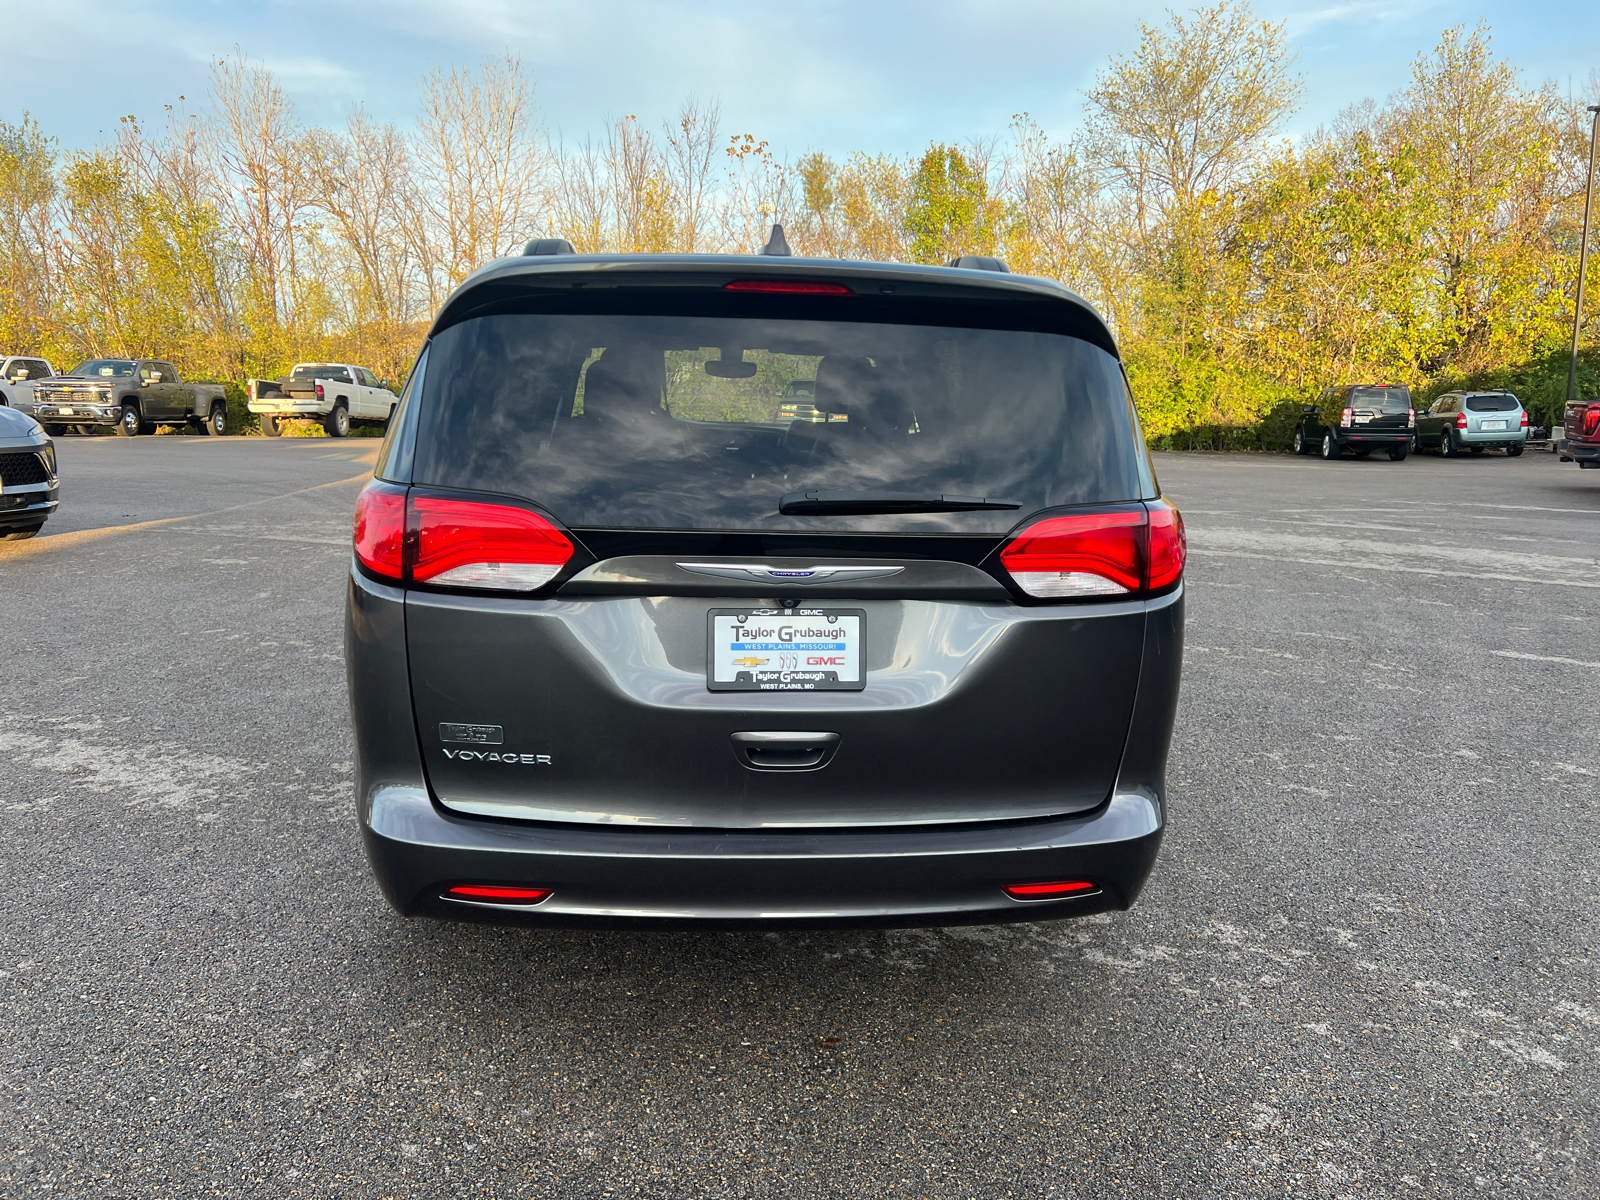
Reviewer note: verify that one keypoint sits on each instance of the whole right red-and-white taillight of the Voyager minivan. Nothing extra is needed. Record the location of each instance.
(1100, 554)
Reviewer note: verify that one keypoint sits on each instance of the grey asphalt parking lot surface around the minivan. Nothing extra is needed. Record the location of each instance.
(1366, 966)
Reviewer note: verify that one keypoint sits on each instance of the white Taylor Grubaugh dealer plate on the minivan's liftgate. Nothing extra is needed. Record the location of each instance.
(786, 650)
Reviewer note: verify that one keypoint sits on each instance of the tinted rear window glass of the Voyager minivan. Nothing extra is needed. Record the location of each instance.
(698, 423)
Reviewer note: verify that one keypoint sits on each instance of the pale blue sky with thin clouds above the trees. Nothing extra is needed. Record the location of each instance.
(836, 76)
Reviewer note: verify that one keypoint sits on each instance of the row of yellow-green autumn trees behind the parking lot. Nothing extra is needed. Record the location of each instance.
(1430, 241)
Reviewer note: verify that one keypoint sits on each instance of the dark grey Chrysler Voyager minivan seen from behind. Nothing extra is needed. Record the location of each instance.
(630, 649)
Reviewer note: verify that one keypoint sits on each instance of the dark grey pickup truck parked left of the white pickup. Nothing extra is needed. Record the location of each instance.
(132, 394)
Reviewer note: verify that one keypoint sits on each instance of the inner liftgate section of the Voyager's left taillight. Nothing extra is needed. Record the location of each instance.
(471, 545)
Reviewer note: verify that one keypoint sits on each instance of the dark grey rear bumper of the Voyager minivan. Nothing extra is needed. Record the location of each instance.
(711, 879)
